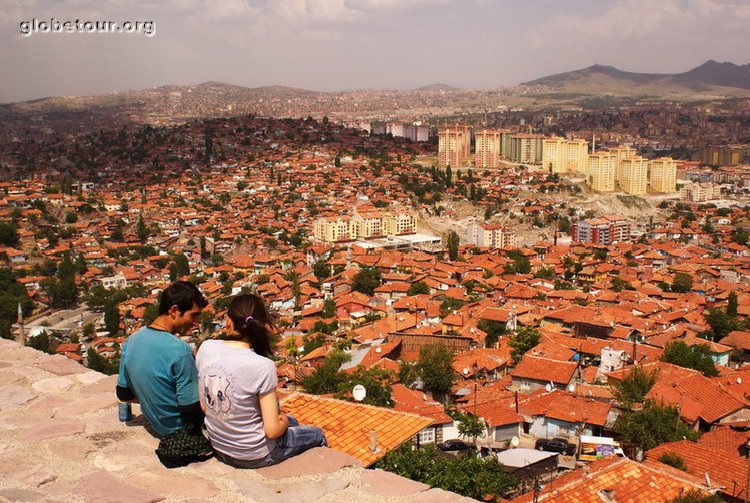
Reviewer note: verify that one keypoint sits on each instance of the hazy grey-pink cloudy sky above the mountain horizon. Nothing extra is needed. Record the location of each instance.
(331, 45)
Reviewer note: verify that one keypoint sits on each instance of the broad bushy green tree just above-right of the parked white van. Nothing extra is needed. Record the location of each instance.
(652, 425)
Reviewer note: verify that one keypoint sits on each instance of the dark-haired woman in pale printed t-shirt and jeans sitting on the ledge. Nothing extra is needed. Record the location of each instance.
(237, 383)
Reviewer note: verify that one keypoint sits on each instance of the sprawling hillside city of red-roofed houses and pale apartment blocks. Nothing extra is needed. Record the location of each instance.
(561, 295)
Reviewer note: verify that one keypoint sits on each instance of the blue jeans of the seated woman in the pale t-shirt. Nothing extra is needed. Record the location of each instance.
(296, 440)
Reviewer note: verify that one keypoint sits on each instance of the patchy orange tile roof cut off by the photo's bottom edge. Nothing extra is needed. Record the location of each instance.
(631, 482)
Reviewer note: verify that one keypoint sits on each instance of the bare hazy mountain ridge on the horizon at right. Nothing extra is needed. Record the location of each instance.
(710, 77)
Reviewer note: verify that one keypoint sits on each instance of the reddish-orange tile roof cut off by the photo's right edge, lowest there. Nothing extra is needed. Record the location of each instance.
(727, 470)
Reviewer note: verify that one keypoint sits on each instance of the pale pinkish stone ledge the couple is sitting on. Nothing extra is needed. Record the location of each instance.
(61, 442)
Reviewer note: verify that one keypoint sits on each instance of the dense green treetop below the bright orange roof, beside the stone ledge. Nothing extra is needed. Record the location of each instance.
(480, 478)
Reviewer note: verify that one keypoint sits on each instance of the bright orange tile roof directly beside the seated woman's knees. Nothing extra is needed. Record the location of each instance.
(348, 425)
